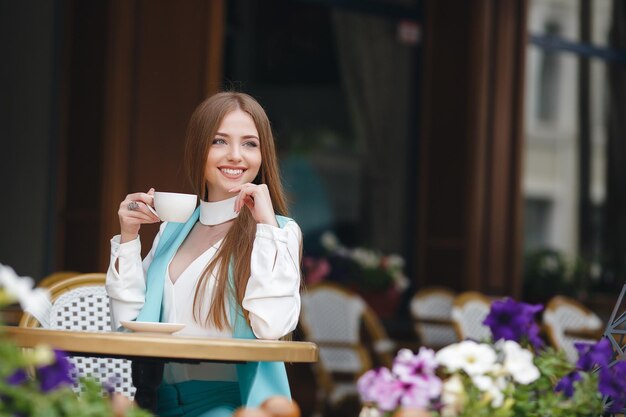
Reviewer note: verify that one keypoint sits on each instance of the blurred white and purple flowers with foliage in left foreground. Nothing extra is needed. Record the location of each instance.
(38, 382)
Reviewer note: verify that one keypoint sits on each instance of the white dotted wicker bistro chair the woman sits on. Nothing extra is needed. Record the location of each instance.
(80, 303)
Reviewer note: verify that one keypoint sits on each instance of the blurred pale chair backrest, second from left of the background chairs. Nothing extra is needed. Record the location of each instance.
(431, 309)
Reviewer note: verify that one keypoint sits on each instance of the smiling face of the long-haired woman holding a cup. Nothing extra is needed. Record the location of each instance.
(234, 155)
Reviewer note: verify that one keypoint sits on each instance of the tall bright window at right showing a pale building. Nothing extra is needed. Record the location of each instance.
(567, 116)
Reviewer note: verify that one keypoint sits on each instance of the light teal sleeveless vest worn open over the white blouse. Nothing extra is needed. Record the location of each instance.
(257, 380)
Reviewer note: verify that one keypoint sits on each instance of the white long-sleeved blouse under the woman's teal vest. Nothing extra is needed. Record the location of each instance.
(272, 295)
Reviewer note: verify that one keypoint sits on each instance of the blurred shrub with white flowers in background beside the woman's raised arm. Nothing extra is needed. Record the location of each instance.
(363, 268)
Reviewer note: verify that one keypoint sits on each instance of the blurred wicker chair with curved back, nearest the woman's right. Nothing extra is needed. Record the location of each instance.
(334, 317)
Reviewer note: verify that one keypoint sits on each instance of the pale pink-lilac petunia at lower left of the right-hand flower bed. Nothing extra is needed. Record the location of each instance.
(382, 387)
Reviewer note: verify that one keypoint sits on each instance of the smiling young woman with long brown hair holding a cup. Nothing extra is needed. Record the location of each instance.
(233, 270)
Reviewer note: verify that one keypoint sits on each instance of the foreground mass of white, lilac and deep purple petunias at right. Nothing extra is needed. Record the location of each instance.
(514, 376)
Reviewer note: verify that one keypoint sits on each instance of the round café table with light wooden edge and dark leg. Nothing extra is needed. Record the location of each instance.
(149, 352)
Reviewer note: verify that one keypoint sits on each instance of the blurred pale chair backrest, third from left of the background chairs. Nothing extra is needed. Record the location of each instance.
(469, 310)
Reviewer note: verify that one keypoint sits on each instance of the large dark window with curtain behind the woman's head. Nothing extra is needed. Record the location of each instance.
(338, 84)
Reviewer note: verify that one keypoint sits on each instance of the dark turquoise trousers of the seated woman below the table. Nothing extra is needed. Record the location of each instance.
(198, 399)
